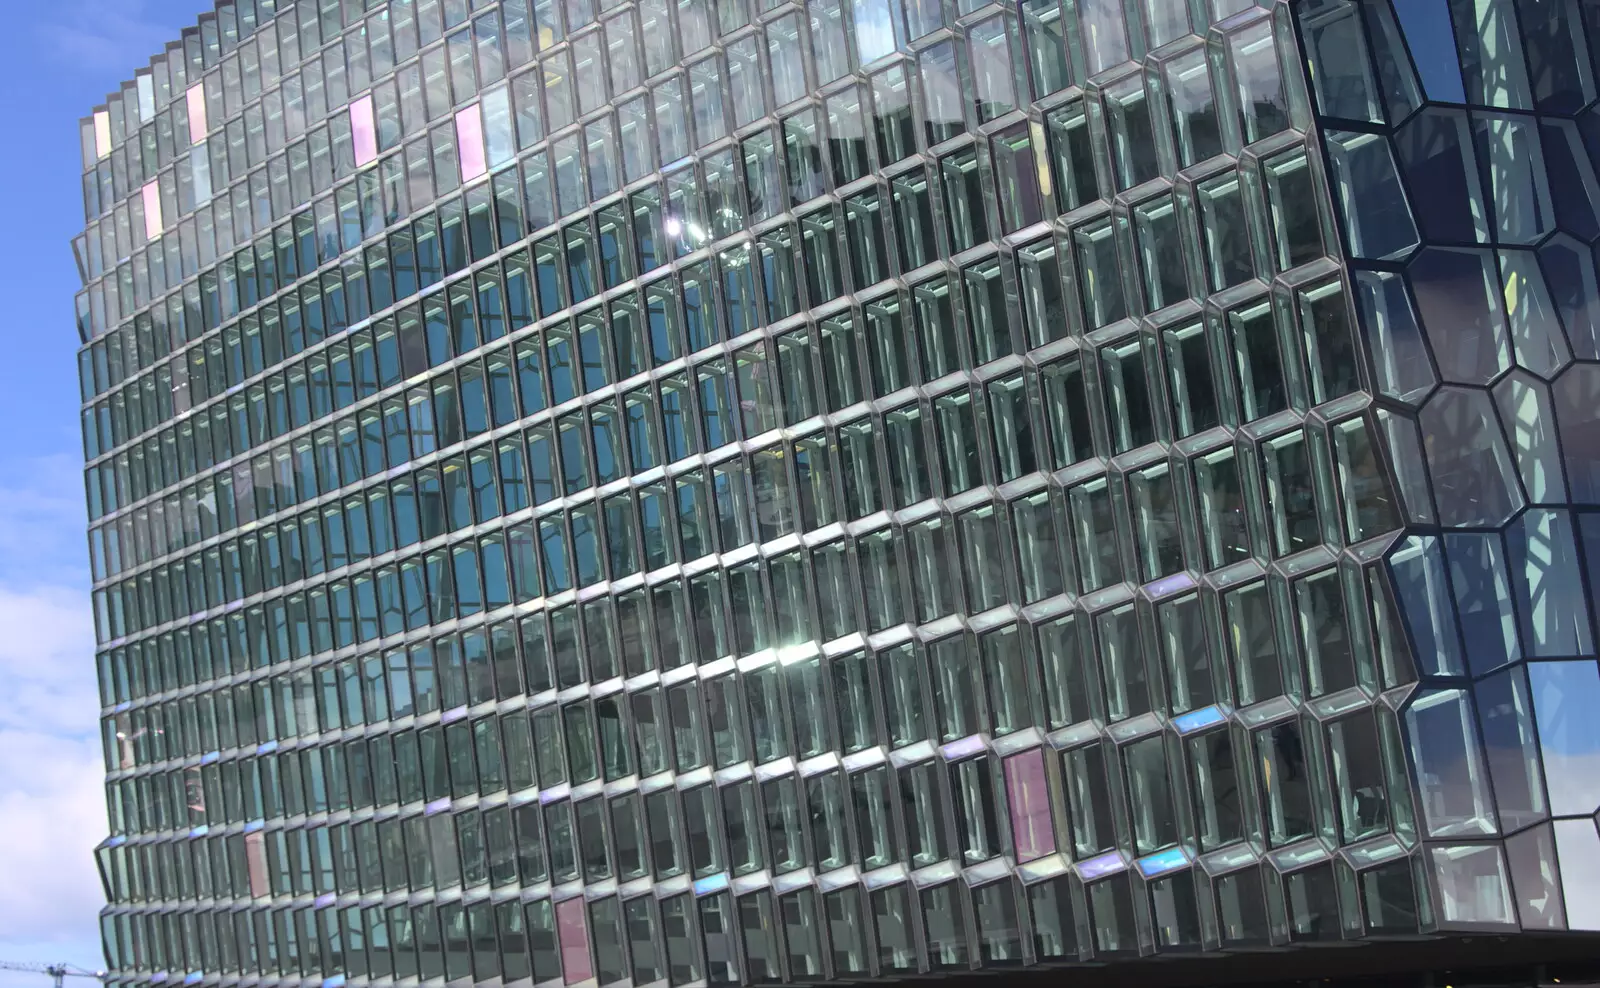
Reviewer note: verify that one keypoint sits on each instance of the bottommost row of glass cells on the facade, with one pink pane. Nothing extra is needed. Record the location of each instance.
(767, 936)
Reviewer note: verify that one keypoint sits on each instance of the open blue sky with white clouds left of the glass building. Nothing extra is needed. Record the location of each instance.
(60, 60)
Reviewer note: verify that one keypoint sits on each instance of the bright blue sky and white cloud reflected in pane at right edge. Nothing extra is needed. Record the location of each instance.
(1566, 703)
